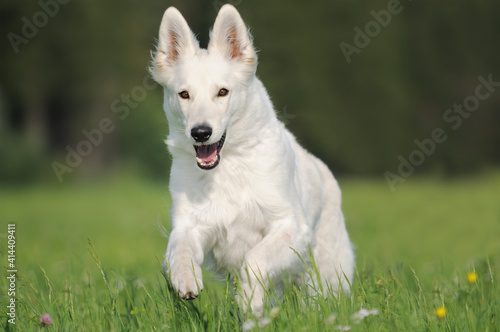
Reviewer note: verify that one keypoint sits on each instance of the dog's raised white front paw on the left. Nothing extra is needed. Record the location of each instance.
(187, 281)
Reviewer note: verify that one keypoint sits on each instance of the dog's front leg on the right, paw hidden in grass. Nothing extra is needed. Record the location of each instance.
(275, 254)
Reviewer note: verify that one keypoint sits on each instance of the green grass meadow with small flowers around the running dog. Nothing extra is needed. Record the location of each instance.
(89, 256)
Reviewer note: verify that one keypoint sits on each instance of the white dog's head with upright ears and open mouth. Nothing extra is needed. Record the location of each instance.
(204, 88)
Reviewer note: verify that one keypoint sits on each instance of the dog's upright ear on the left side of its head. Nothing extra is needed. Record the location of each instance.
(175, 39)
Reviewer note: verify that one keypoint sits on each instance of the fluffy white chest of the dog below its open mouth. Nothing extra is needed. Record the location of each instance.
(233, 207)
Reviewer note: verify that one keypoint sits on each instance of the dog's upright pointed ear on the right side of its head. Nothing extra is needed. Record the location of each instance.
(231, 36)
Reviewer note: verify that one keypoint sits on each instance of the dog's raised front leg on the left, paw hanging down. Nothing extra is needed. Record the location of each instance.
(183, 259)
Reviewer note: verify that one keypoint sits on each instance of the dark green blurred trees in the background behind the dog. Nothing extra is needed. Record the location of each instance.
(358, 116)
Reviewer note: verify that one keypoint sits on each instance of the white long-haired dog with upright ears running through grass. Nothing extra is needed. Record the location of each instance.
(244, 192)
